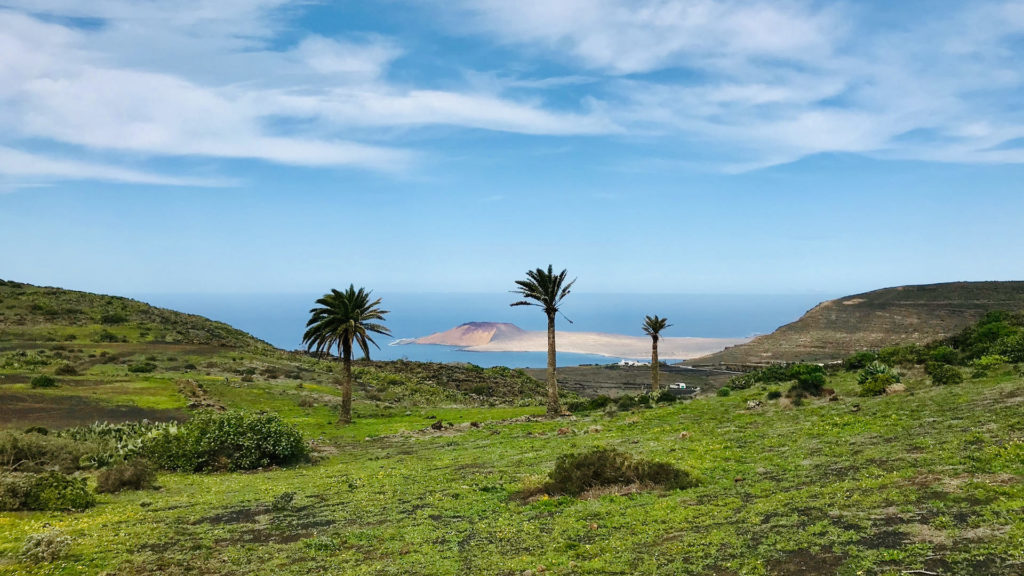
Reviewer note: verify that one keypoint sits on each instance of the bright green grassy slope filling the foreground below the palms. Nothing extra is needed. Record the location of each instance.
(925, 480)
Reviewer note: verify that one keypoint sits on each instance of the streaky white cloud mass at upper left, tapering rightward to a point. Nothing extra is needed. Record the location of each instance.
(163, 79)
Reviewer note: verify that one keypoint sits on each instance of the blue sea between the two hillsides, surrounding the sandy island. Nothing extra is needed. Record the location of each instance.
(280, 319)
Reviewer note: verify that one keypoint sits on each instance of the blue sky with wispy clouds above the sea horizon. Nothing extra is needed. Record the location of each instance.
(698, 147)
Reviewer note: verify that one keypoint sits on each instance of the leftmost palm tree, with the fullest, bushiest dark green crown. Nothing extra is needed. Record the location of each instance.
(340, 319)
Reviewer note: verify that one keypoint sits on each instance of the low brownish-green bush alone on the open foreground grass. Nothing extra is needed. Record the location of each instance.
(575, 474)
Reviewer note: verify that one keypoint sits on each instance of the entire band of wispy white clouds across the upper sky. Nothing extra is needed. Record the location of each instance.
(748, 84)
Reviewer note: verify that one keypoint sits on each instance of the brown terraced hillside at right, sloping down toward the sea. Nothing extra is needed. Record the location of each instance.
(838, 328)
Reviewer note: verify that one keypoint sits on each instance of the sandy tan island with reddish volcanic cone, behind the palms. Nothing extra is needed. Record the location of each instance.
(501, 337)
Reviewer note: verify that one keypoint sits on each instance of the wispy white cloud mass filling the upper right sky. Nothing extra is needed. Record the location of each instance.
(774, 83)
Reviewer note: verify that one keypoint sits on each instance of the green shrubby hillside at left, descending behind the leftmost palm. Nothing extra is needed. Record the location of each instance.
(121, 360)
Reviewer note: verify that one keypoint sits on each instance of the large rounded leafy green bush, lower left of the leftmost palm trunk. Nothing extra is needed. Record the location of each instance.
(233, 441)
